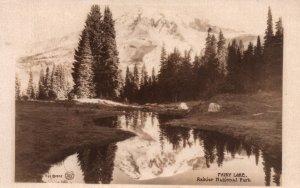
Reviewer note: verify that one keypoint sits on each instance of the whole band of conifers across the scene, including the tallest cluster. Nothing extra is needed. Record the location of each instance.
(224, 67)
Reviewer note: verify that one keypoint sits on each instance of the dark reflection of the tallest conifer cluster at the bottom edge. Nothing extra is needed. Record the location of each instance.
(97, 163)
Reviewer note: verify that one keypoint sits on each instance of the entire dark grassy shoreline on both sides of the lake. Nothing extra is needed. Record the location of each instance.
(47, 132)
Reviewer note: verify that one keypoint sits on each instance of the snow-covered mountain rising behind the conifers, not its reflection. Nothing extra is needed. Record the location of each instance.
(141, 33)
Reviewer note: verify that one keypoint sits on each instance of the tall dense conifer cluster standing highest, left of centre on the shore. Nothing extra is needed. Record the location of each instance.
(95, 70)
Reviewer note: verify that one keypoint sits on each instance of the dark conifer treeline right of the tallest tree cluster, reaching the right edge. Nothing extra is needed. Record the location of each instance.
(220, 69)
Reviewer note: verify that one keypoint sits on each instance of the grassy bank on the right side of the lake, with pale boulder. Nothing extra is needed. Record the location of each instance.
(256, 119)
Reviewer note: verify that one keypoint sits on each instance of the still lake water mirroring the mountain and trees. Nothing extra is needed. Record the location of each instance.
(162, 154)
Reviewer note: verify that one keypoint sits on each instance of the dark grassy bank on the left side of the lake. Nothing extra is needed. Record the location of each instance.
(48, 132)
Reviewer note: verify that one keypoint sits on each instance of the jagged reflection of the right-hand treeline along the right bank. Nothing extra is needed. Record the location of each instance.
(215, 145)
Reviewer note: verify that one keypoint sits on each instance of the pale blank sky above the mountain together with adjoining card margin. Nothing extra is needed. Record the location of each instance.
(27, 21)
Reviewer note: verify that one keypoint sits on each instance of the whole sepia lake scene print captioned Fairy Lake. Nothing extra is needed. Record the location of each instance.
(149, 92)
